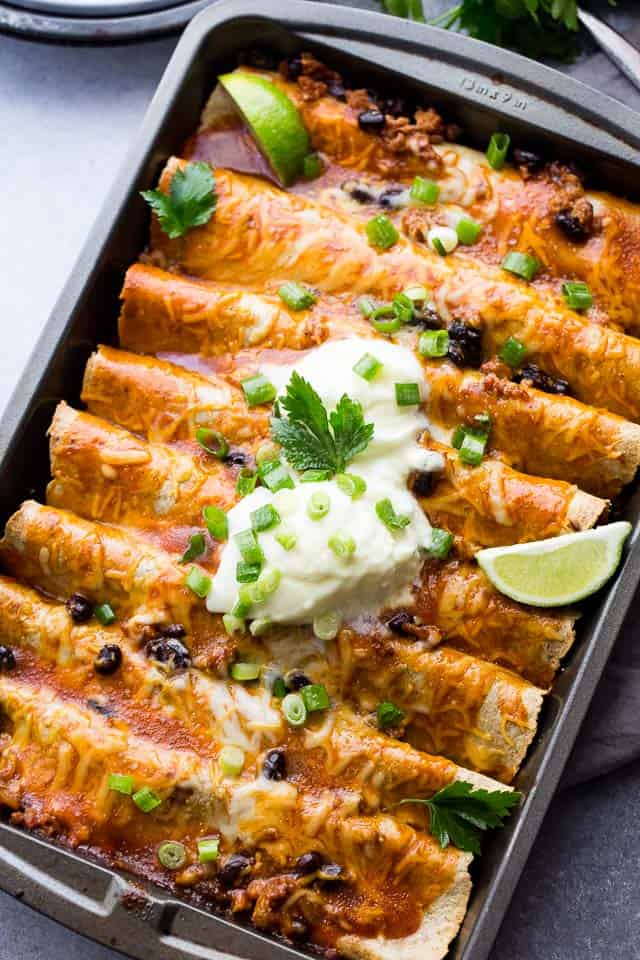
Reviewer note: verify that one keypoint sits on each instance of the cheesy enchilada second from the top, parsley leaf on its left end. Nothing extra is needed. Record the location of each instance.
(260, 235)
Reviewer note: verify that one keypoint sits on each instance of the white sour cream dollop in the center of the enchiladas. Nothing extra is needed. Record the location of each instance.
(313, 580)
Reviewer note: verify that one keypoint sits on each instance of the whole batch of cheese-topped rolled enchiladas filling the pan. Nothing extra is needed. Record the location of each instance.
(118, 691)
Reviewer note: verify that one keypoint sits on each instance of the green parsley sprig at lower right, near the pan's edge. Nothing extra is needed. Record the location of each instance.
(459, 813)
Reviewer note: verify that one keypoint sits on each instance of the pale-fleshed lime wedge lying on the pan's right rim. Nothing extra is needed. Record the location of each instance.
(552, 573)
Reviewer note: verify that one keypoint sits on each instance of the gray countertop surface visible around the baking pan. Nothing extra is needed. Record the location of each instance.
(67, 116)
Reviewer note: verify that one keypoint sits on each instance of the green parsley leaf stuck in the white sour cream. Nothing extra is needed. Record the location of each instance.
(311, 438)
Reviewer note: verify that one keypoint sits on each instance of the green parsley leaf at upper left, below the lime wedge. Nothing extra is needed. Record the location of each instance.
(190, 202)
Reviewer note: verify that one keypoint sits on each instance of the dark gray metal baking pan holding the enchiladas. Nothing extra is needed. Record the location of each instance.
(482, 87)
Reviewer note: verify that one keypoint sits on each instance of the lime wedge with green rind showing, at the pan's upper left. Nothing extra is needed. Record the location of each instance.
(274, 121)
